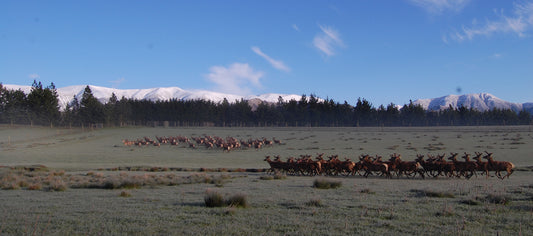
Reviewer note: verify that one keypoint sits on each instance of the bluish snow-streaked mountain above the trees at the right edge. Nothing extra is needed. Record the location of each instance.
(478, 101)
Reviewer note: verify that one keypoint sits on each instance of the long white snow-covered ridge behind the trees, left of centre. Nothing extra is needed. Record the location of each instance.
(67, 94)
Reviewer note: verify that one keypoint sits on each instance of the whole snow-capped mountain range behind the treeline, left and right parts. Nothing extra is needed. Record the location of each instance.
(478, 101)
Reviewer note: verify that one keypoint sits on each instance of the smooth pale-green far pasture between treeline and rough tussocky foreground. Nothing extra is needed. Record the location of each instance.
(76, 149)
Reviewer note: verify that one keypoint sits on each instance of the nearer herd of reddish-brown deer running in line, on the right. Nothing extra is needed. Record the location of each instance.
(434, 166)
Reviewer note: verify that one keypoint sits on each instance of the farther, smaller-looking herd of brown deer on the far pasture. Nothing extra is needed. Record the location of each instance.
(227, 144)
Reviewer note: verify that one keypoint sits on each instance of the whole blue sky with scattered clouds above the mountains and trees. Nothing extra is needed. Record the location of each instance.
(384, 51)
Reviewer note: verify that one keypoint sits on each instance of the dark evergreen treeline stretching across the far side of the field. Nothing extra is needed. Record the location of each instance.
(40, 107)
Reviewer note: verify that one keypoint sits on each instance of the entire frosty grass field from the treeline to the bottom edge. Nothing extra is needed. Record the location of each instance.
(78, 196)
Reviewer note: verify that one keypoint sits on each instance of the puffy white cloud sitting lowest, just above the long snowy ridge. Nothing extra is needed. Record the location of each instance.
(238, 78)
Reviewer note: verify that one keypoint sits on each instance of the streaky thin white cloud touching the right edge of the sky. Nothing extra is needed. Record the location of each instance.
(518, 23)
